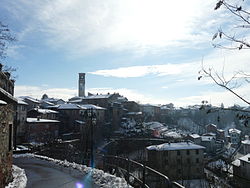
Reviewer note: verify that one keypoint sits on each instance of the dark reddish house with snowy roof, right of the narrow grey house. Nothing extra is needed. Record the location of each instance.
(41, 130)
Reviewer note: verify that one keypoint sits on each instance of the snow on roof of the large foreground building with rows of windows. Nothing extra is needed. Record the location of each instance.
(175, 146)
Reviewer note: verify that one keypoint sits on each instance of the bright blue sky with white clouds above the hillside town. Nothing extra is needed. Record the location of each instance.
(149, 51)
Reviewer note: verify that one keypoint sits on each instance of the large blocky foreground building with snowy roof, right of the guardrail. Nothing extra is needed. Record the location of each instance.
(183, 160)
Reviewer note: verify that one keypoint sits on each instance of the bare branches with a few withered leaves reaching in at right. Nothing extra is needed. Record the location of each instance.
(225, 40)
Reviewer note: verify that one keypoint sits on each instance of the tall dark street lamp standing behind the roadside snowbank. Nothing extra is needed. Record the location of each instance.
(91, 117)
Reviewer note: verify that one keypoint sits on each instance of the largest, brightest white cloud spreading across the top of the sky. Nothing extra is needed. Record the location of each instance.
(82, 26)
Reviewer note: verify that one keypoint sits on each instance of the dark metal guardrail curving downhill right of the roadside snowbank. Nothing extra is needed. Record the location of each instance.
(135, 173)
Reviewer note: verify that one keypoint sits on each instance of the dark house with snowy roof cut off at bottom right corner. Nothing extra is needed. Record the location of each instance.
(241, 169)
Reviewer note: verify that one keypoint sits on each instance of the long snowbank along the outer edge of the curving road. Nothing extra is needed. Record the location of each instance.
(100, 177)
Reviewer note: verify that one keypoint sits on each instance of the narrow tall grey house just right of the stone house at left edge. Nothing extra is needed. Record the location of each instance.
(20, 120)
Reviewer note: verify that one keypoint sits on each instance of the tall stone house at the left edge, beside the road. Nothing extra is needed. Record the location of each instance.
(7, 106)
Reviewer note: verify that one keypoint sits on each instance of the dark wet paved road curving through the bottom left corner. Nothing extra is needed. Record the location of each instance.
(45, 174)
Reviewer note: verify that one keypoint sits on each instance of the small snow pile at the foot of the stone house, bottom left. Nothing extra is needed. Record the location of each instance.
(19, 178)
